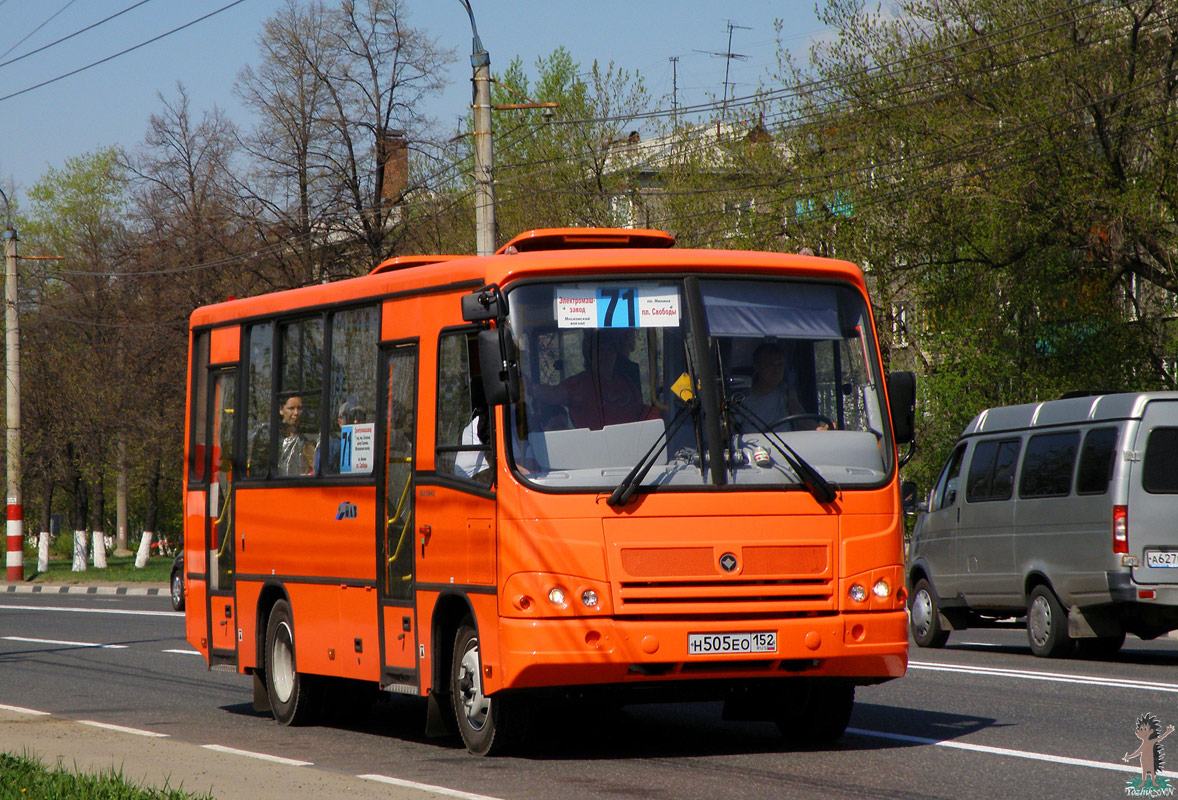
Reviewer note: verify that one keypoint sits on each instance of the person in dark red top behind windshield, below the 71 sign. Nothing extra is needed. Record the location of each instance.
(607, 392)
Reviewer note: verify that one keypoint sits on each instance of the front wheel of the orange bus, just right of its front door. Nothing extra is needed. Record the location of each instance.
(488, 725)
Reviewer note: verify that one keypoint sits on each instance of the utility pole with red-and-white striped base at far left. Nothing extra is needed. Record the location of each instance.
(16, 559)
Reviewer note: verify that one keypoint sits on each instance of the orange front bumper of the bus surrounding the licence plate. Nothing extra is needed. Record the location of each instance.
(551, 653)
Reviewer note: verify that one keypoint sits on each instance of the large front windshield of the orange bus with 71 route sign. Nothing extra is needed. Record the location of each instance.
(772, 376)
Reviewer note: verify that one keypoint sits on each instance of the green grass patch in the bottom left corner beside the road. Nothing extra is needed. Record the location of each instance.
(24, 778)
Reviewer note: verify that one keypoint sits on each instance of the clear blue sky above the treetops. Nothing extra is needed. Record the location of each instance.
(49, 116)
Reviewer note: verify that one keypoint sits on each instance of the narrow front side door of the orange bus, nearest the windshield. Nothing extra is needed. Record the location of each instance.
(399, 619)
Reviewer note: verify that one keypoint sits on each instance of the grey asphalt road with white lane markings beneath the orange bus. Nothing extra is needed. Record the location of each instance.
(978, 719)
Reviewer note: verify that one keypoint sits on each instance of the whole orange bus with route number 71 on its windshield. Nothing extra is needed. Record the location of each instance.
(588, 464)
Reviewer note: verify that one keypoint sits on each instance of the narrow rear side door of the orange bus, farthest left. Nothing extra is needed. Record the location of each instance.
(220, 535)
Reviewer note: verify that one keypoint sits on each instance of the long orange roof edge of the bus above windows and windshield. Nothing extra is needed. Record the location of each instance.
(435, 274)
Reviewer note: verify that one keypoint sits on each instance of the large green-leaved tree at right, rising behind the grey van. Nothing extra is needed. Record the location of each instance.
(1003, 170)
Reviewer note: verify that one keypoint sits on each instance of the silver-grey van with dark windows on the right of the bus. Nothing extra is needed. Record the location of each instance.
(1063, 513)
